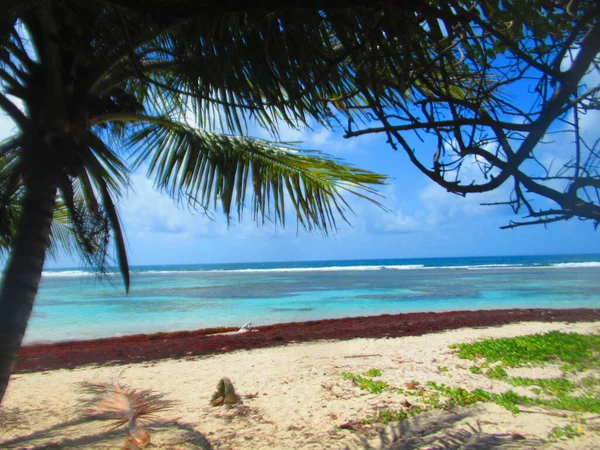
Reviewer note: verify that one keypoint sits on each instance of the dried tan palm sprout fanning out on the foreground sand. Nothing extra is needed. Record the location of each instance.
(123, 406)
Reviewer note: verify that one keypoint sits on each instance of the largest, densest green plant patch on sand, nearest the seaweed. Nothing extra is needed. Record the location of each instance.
(572, 348)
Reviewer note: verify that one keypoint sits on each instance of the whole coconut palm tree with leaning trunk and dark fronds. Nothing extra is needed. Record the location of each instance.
(106, 89)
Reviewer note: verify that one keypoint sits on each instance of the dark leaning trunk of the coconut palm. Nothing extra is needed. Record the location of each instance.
(24, 268)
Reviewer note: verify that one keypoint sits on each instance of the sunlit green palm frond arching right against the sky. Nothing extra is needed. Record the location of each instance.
(200, 168)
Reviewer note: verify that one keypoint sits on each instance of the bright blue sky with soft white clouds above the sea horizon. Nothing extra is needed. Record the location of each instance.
(421, 219)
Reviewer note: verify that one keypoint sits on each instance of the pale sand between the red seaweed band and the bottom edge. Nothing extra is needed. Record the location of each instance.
(301, 399)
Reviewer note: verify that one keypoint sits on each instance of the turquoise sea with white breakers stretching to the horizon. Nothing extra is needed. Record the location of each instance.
(75, 304)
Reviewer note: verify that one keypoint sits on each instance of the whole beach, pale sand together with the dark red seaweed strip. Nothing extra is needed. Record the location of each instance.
(289, 377)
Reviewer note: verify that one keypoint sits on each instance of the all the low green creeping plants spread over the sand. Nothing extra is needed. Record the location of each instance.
(574, 352)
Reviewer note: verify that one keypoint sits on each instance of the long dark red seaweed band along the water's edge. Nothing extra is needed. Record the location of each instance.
(180, 344)
